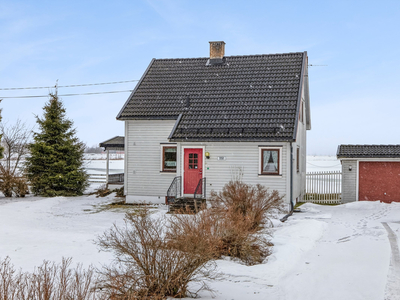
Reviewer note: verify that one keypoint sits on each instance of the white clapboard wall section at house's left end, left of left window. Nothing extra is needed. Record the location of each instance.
(143, 166)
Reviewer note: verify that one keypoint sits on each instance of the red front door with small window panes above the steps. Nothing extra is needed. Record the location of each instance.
(193, 169)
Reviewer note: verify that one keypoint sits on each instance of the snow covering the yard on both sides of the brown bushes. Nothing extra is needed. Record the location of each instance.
(325, 252)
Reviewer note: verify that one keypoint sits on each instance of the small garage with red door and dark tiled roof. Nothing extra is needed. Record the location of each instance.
(370, 172)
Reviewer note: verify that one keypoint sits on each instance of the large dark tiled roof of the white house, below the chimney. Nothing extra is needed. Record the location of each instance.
(252, 97)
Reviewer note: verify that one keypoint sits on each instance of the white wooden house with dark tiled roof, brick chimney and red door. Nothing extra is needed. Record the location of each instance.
(199, 122)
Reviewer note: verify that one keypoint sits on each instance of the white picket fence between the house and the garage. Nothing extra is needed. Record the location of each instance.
(323, 187)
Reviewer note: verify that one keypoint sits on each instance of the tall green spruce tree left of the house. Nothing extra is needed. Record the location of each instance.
(55, 164)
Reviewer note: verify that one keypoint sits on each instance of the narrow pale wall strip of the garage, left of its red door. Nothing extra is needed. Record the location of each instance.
(349, 181)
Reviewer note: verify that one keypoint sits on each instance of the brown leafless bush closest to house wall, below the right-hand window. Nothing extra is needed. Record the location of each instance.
(253, 202)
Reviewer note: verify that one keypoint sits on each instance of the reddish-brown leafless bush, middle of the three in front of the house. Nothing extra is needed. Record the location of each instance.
(216, 233)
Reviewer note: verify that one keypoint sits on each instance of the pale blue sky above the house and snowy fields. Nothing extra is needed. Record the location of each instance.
(355, 98)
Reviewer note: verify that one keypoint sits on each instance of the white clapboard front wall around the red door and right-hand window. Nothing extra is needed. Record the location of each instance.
(240, 157)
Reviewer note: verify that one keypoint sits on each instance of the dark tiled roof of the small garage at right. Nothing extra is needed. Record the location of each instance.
(368, 151)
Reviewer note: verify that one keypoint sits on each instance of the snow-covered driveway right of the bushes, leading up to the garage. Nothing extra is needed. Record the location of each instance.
(325, 252)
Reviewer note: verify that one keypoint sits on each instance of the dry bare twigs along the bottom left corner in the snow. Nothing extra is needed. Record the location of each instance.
(47, 282)
